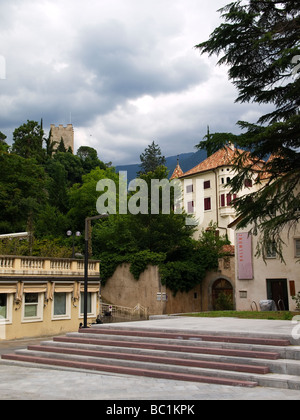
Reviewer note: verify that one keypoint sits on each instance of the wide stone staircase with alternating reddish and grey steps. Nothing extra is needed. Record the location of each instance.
(217, 359)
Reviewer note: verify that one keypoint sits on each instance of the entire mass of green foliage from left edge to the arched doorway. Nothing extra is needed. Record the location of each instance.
(48, 193)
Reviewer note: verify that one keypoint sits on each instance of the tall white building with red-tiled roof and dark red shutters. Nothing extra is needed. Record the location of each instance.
(206, 193)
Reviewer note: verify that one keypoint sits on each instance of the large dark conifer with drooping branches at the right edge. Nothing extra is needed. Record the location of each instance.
(259, 42)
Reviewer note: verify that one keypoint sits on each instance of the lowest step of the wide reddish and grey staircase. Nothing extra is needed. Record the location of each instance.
(122, 366)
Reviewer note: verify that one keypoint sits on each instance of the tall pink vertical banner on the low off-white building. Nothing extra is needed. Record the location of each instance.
(244, 256)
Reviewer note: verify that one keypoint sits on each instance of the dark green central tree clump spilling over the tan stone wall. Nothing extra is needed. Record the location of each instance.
(156, 239)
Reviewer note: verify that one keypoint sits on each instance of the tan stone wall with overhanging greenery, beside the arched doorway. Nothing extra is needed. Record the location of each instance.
(122, 289)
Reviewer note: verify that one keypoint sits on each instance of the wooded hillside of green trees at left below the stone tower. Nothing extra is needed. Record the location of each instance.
(36, 185)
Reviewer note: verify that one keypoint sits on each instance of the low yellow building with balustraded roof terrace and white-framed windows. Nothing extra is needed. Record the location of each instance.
(43, 296)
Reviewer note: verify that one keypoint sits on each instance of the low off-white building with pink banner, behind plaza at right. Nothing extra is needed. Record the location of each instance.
(270, 279)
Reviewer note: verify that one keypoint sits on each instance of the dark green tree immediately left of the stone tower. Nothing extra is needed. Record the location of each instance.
(28, 141)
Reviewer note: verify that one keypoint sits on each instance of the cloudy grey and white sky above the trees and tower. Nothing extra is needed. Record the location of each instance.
(124, 72)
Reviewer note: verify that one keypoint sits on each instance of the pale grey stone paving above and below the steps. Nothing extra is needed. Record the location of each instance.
(20, 382)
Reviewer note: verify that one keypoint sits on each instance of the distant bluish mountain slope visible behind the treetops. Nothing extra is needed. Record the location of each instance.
(187, 161)
